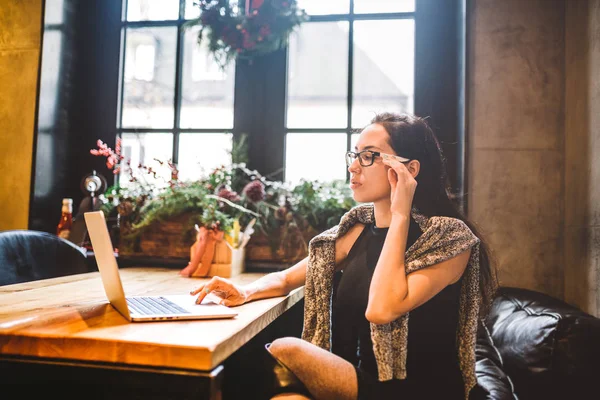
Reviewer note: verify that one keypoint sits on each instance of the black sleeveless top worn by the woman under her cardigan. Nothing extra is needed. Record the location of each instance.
(432, 354)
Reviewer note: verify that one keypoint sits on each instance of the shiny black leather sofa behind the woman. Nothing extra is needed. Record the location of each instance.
(534, 346)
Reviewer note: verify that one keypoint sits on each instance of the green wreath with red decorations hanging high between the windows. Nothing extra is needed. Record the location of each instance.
(261, 27)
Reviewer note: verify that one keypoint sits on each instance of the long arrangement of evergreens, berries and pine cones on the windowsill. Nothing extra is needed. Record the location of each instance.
(226, 200)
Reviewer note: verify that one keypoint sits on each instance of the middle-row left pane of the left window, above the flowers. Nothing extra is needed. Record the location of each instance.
(149, 82)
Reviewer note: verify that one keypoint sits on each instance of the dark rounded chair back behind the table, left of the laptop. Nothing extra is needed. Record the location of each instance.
(27, 255)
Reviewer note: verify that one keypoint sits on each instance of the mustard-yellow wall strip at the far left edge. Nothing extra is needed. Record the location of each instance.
(20, 30)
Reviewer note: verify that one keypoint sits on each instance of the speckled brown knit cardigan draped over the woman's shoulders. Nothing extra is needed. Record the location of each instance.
(442, 239)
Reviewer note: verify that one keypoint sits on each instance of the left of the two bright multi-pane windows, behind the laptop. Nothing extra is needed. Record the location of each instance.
(175, 102)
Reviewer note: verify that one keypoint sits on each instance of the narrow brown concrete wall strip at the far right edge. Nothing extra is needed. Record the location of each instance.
(582, 155)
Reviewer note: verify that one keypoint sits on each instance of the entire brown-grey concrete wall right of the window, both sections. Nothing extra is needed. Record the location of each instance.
(534, 142)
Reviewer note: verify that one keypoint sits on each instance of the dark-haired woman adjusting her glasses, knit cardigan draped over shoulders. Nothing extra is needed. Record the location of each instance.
(393, 294)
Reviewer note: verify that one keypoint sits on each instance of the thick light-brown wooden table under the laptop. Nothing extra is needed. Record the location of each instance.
(62, 333)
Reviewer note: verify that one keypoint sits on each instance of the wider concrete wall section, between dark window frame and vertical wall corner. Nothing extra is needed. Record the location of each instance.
(516, 96)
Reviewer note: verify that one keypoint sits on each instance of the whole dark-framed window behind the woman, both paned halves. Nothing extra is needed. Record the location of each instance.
(174, 103)
